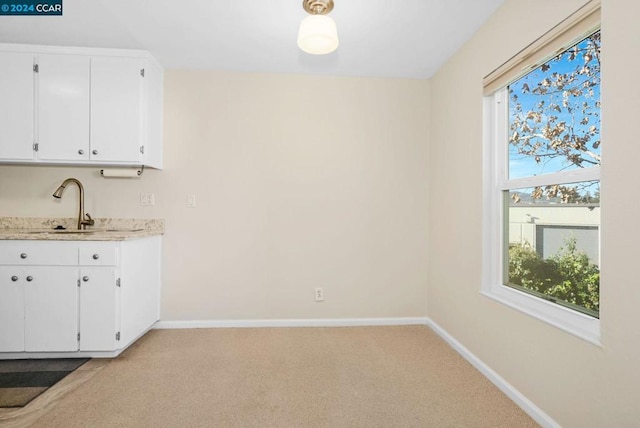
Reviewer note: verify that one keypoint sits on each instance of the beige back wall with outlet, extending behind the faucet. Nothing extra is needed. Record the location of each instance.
(301, 182)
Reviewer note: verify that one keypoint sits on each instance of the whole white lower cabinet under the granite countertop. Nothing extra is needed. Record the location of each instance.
(76, 298)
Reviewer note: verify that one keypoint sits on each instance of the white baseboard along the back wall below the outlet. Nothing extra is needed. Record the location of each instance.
(339, 322)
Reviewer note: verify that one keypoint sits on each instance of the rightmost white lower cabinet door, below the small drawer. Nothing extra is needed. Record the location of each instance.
(99, 317)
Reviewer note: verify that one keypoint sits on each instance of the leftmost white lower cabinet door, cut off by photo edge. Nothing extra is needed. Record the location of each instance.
(11, 309)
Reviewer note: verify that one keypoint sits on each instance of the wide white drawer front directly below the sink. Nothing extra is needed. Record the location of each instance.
(42, 253)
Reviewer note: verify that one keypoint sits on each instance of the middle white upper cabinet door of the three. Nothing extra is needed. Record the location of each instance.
(63, 107)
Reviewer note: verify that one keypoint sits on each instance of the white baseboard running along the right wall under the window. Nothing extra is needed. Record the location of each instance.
(523, 402)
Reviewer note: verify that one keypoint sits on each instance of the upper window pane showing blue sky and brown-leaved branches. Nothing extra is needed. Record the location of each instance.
(554, 113)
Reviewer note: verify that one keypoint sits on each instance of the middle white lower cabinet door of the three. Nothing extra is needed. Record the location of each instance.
(51, 309)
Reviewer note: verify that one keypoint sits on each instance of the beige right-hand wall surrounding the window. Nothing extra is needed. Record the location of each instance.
(578, 384)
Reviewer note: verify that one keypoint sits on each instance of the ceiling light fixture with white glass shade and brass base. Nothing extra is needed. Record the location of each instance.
(318, 34)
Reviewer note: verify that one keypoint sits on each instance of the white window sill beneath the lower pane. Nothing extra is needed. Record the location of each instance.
(580, 325)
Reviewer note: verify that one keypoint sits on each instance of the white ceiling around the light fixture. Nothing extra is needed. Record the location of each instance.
(383, 38)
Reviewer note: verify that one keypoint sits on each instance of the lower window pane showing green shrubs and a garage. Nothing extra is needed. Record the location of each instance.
(553, 243)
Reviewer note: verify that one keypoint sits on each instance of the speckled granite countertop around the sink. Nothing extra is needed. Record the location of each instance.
(105, 229)
